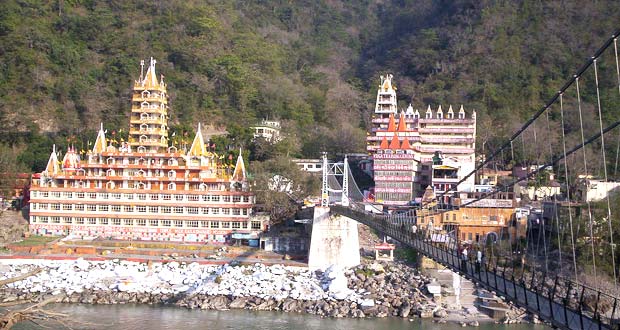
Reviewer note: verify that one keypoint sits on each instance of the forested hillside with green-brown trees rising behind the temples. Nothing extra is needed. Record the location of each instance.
(66, 65)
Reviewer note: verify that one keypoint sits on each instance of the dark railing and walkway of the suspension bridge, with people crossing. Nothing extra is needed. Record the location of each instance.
(561, 301)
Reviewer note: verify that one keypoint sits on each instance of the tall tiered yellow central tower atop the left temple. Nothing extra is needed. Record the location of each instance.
(148, 124)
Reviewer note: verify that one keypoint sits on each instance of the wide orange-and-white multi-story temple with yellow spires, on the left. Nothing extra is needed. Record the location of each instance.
(145, 188)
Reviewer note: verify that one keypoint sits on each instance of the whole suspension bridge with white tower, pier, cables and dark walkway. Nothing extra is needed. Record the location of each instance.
(565, 269)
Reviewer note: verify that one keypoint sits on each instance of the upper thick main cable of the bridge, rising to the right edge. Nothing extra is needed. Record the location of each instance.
(542, 110)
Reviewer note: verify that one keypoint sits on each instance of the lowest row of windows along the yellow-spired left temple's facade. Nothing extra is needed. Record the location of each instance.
(255, 225)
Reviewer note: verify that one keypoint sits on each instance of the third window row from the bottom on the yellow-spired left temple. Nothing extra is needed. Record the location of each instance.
(144, 197)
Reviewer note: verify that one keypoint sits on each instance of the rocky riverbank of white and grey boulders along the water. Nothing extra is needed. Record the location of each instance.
(375, 290)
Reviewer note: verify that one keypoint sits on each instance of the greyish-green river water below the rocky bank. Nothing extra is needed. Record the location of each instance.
(133, 317)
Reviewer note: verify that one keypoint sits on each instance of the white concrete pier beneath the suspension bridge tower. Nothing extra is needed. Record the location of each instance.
(334, 241)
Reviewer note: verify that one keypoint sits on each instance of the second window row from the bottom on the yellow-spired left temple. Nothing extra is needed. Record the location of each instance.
(140, 209)
